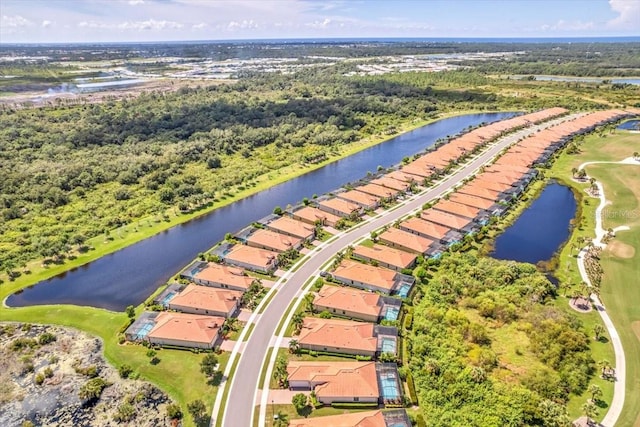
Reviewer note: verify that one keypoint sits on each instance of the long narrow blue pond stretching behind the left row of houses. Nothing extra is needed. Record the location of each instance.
(130, 275)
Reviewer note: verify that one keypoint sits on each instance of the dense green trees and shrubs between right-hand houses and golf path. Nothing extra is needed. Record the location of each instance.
(489, 348)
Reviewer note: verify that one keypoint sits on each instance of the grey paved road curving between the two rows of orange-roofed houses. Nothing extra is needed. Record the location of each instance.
(240, 402)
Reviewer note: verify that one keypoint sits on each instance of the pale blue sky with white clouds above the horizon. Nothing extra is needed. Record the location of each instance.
(72, 21)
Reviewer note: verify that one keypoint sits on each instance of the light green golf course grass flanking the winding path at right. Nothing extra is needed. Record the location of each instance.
(620, 291)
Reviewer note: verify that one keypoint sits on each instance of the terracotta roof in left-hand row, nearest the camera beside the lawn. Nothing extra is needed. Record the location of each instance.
(186, 327)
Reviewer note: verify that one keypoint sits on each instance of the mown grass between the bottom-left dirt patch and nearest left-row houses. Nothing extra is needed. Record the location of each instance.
(175, 367)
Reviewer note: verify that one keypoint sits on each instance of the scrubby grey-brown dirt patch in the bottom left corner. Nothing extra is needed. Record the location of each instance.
(43, 369)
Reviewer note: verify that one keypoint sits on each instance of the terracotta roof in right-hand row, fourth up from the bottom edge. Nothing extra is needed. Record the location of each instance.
(349, 299)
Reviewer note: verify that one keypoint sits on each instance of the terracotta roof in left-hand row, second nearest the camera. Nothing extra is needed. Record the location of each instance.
(206, 298)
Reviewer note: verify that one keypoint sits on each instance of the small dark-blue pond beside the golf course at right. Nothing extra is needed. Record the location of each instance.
(540, 230)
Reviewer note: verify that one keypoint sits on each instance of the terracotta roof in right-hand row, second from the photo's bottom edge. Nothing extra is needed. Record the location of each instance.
(341, 380)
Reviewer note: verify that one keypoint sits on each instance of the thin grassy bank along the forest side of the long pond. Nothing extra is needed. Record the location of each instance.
(39, 274)
